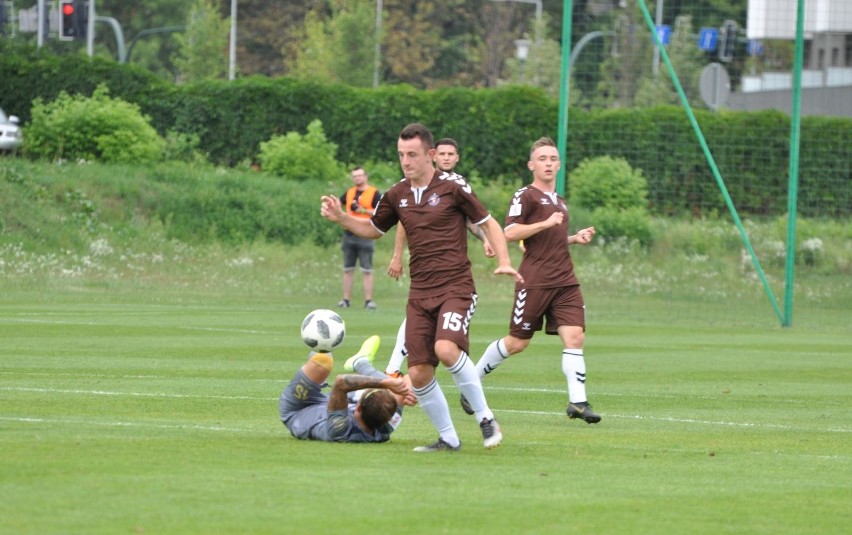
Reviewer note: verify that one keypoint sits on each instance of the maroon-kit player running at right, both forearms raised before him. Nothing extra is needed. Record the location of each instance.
(550, 291)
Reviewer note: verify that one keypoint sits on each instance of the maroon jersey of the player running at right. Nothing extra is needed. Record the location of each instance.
(547, 262)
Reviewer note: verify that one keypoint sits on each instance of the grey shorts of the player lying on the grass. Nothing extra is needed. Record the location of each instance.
(303, 406)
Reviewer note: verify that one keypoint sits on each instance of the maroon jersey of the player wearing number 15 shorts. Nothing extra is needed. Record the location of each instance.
(434, 221)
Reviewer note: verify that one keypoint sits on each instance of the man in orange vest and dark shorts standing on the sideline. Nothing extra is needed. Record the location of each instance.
(360, 201)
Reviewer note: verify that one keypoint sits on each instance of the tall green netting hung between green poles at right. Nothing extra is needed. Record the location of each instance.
(739, 116)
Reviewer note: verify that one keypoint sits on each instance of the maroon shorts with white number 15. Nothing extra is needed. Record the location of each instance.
(437, 318)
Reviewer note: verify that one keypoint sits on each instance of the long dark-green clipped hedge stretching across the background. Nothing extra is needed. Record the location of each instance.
(494, 127)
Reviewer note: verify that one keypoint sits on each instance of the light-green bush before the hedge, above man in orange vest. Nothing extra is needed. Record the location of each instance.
(298, 157)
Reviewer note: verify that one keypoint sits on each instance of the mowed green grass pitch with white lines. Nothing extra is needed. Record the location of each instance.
(129, 407)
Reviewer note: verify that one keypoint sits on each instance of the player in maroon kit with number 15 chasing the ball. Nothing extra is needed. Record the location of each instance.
(433, 206)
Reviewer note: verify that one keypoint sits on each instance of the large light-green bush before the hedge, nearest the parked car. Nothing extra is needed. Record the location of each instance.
(92, 128)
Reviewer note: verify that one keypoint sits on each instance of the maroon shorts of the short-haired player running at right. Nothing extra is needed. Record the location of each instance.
(559, 306)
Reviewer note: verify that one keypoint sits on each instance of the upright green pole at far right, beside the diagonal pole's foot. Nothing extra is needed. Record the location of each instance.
(793, 187)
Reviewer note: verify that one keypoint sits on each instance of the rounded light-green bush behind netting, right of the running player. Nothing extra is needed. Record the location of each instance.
(616, 195)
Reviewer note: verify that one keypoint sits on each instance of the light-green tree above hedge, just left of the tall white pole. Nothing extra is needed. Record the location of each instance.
(202, 52)
